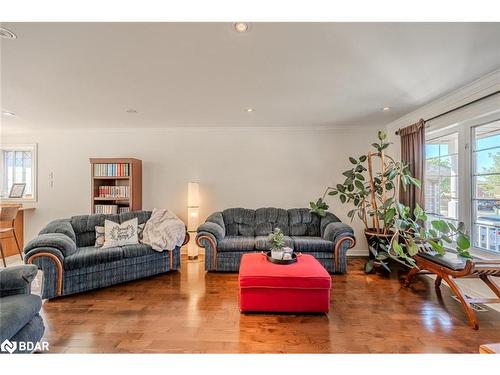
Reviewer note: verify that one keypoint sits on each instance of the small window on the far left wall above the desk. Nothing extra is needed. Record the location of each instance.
(18, 165)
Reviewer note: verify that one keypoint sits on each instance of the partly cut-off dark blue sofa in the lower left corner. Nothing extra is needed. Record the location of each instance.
(20, 321)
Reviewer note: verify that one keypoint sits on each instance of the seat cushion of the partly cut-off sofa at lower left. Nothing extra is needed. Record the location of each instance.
(16, 312)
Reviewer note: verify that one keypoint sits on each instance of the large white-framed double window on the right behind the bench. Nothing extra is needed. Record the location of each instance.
(462, 178)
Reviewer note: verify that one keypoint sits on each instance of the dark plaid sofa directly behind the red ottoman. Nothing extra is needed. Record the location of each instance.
(229, 234)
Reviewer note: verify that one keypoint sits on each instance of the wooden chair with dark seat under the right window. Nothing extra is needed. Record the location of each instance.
(449, 267)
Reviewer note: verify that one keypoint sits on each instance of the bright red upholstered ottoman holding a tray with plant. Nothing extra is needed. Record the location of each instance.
(299, 287)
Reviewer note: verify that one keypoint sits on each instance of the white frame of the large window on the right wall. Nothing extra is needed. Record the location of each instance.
(465, 131)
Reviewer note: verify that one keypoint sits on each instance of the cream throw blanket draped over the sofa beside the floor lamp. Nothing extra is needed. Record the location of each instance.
(163, 230)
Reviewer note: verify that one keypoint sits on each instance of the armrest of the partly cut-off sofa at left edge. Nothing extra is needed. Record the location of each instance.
(17, 279)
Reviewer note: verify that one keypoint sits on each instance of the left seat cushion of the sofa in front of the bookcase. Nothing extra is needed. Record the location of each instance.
(89, 256)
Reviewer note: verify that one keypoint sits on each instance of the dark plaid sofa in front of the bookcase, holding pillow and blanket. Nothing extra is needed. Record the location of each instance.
(64, 250)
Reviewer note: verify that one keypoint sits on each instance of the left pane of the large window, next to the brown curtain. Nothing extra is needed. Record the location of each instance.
(441, 178)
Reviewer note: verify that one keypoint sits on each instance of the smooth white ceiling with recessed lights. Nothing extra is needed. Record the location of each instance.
(86, 75)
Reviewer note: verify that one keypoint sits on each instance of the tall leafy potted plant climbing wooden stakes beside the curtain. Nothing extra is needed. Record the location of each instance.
(391, 230)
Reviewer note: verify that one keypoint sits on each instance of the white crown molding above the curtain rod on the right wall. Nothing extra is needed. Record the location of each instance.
(472, 91)
